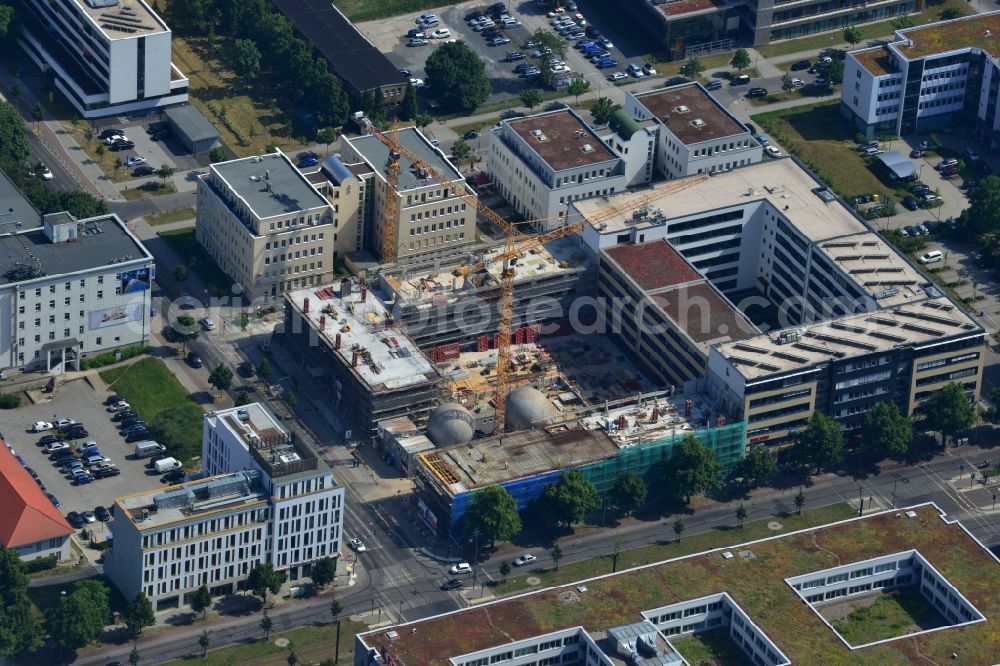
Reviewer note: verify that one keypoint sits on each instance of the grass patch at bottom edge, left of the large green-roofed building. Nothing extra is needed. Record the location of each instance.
(311, 644)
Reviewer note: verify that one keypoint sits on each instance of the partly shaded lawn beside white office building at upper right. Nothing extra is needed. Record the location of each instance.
(820, 137)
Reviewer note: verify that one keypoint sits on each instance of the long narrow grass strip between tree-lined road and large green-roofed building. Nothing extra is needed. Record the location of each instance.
(669, 548)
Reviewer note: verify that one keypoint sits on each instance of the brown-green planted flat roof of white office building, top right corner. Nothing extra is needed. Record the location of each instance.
(979, 31)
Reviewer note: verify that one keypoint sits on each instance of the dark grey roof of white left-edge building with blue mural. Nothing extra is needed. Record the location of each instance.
(101, 241)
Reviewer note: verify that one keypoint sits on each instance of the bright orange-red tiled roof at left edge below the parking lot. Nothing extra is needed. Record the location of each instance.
(27, 516)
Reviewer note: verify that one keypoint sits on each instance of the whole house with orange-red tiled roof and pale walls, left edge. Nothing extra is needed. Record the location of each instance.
(30, 525)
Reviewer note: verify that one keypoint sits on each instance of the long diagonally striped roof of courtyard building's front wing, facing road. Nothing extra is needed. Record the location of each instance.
(923, 322)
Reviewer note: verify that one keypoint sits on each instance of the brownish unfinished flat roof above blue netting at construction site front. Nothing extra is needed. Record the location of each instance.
(492, 460)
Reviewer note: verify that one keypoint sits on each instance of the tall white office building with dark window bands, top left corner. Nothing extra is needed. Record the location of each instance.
(108, 57)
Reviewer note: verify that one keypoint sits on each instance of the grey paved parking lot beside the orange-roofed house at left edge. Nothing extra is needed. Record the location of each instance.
(78, 401)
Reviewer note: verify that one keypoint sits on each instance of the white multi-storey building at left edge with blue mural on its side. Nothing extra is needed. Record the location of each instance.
(70, 289)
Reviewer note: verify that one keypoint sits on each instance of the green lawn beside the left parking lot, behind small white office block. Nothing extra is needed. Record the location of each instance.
(174, 419)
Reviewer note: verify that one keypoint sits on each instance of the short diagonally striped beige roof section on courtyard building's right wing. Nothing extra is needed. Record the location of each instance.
(876, 267)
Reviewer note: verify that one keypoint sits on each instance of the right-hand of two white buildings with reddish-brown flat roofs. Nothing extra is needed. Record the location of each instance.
(694, 133)
